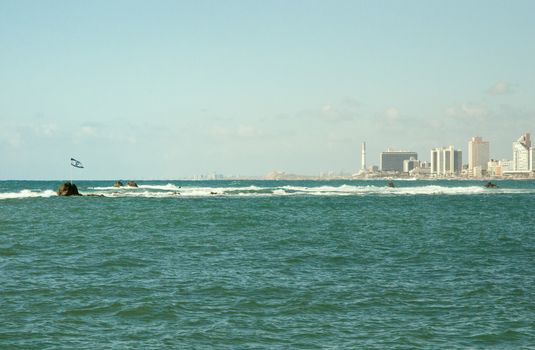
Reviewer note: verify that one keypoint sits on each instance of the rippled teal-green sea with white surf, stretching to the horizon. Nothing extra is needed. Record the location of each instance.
(268, 265)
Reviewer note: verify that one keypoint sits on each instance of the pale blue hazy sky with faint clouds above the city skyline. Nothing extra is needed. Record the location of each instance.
(174, 89)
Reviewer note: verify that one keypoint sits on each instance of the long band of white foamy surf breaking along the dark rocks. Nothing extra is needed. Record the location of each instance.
(171, 190)
